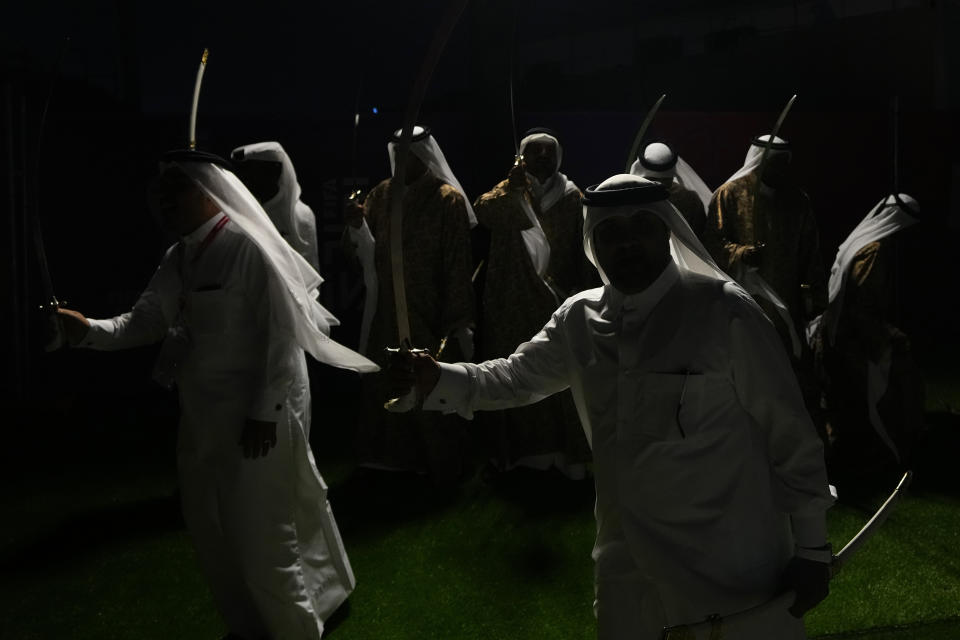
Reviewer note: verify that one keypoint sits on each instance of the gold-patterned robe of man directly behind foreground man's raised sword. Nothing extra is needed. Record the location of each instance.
(440, 300)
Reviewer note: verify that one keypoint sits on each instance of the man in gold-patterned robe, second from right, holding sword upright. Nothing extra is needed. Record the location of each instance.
(761, 230)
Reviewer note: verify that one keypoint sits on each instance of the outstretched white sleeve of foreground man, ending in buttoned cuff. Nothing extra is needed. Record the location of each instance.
(537, 369)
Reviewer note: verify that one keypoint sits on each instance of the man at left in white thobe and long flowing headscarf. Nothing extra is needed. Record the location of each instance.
(235, 307)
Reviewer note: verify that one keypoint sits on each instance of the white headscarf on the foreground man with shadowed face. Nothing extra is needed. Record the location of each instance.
(686, 250)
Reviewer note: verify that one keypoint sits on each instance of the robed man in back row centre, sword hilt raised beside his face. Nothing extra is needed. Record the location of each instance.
(535, 261)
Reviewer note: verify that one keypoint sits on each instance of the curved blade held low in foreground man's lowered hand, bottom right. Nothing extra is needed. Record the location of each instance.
(716, 626)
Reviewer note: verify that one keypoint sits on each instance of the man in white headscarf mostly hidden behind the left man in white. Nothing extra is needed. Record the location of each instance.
(266, 169)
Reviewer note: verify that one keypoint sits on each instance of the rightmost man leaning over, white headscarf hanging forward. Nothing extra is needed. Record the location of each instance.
(873, 391)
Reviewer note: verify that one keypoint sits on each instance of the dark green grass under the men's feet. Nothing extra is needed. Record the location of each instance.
(93, 547)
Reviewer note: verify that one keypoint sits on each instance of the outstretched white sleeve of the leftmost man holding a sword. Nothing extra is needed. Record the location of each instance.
(147, 322)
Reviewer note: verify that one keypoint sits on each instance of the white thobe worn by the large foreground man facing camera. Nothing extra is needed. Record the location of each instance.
(708, 469)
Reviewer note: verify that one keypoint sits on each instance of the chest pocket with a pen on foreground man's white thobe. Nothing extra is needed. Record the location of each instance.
(668, 406)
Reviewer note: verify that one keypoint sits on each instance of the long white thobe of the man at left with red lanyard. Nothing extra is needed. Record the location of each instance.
(266, 538)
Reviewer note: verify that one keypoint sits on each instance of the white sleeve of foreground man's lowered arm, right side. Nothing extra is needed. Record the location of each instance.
(767, 389)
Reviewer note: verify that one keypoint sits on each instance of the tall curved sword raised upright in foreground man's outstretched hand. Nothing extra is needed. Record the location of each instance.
(398, 185)
